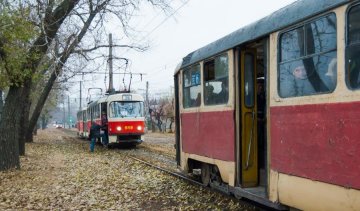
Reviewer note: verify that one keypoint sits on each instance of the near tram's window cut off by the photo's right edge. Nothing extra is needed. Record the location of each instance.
(353, 48)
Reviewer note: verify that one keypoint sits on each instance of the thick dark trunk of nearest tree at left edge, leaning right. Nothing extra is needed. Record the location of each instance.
(16, 109)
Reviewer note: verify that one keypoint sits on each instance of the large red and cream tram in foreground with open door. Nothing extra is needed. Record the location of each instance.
(271, 112)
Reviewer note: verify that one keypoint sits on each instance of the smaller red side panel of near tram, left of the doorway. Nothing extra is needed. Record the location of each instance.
(209, 134)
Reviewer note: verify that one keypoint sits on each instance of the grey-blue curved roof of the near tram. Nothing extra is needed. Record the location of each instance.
(285, 17)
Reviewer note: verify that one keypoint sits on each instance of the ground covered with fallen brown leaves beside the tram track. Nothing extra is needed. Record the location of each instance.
(59, 172)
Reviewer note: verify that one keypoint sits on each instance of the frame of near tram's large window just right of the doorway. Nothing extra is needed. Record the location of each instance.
(303, 26)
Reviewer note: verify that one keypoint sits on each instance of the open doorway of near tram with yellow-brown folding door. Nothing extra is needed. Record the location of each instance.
(251, 60)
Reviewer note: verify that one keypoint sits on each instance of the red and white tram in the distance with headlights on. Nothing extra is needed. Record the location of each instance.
(124, 113)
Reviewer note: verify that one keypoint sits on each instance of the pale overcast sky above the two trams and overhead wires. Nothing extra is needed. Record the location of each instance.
(195, 24)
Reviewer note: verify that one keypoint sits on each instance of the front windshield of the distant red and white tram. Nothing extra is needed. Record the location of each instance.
(126, 109)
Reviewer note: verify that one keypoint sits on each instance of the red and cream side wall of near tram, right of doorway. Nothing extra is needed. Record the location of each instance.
(314, 139)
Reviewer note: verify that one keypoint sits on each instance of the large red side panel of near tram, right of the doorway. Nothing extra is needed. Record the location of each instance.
(319, 142)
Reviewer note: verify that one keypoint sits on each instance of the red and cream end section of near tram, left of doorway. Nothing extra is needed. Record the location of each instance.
(207, 132)
